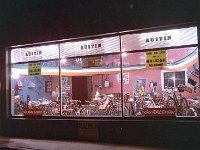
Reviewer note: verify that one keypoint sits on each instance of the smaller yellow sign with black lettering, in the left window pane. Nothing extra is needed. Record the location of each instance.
(34, 69)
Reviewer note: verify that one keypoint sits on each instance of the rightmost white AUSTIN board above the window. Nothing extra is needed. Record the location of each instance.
(160, 39)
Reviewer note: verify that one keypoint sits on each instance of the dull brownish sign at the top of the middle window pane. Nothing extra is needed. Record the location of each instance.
(92, 61)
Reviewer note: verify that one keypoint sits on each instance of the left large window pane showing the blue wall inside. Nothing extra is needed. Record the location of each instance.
(33, 88)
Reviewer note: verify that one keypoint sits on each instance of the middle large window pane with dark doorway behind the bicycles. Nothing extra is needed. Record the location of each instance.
(90, 86)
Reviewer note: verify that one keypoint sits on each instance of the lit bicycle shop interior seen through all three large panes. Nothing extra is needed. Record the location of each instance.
(92, 87)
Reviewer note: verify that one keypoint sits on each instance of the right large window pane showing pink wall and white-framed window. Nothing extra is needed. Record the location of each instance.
(155, 91)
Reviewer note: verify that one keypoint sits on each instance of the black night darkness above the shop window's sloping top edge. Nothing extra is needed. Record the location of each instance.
(30, 21)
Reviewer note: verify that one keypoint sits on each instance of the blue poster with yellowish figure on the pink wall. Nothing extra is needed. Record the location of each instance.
(139, 86)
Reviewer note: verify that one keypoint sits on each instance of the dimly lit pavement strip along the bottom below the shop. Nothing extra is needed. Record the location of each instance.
(10, 143)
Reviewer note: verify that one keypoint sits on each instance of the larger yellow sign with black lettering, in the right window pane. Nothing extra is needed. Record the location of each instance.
(156, 58)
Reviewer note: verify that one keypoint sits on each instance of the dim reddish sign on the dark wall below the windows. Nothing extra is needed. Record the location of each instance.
(88, 130)
